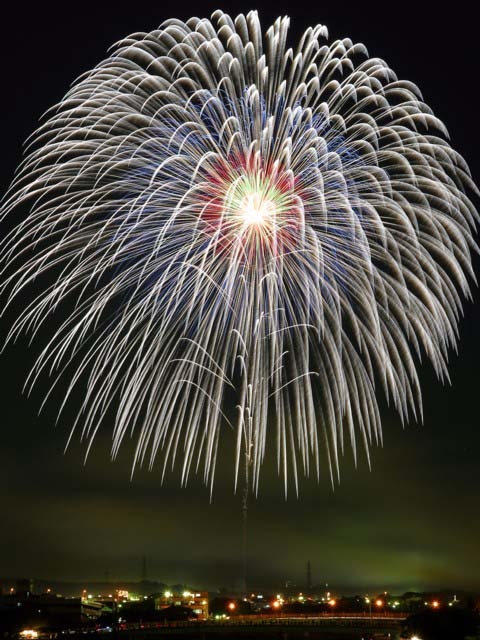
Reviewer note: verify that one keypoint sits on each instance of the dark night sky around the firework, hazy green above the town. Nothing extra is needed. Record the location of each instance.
(412, 522)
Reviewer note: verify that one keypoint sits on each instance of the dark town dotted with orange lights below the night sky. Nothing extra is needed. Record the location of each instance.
(145, 608)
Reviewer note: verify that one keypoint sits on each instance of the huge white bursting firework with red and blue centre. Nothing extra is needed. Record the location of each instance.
(224, 216)
